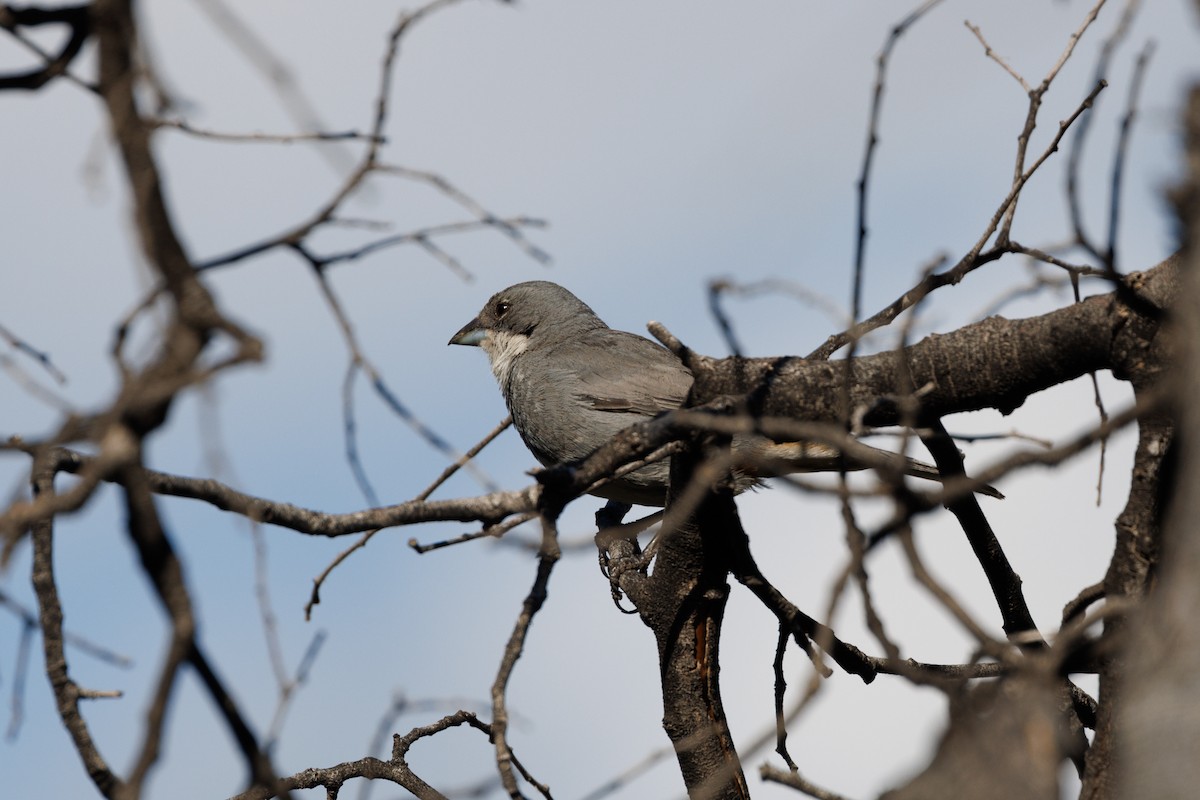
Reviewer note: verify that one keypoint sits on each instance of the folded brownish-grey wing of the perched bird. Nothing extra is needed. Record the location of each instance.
(627, 374)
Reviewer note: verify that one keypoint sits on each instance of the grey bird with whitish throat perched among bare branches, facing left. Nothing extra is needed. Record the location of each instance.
(572, 383)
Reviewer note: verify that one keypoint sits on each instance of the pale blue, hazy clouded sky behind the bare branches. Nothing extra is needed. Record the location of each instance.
(665, 145)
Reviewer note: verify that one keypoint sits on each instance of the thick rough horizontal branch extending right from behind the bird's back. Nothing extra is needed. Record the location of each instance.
(993, 364)
